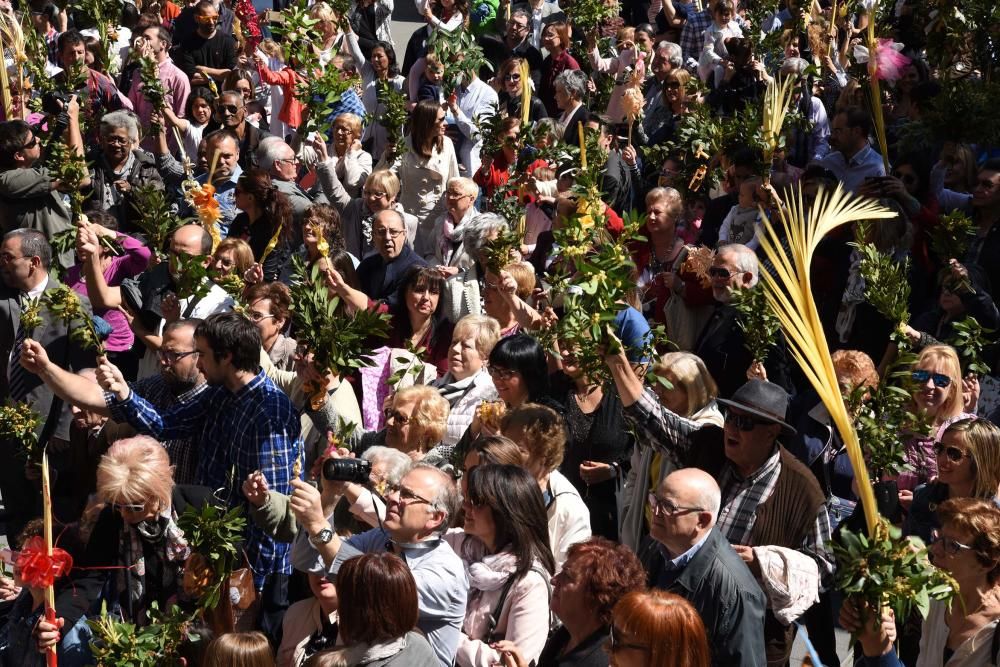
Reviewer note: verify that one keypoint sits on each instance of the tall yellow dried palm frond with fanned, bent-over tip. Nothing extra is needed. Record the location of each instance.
(791, 298)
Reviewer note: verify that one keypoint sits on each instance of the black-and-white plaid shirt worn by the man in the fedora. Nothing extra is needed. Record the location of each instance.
(656, 426)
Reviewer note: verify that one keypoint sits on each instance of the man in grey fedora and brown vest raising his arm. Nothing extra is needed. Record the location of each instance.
(769, 498)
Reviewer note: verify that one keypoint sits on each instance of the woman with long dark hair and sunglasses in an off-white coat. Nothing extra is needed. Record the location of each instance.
(424, 171)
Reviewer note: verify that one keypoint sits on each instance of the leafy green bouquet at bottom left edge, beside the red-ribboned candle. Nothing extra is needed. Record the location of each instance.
(117, 643)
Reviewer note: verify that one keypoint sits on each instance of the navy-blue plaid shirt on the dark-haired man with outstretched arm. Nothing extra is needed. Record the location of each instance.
(256, 428)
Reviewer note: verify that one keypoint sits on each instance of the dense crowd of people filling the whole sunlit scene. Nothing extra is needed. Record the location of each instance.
(496, 500)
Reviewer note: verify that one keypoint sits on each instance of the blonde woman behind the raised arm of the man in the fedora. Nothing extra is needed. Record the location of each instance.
(692, 395)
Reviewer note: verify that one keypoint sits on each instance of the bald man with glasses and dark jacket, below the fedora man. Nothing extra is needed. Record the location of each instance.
(695, 561)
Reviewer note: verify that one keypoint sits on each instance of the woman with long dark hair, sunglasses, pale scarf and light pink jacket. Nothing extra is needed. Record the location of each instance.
(505, 547)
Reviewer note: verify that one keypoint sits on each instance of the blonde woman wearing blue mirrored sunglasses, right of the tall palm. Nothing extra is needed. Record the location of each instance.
(937, 393)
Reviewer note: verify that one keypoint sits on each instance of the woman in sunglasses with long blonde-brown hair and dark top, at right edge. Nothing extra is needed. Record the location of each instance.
(968, 461)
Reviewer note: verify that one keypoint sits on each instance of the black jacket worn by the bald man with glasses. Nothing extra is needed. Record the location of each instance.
(728, 598)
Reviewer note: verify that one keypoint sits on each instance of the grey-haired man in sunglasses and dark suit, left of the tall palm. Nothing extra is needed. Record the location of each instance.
(721, 343)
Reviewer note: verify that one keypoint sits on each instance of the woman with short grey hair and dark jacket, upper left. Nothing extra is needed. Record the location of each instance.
(118, 166)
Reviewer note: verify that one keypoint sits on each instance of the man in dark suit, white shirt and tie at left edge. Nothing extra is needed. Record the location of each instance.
(25, 258)
